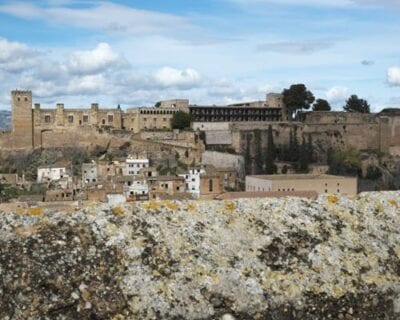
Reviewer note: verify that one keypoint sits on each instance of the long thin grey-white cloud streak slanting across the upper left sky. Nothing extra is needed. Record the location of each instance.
(103, 16)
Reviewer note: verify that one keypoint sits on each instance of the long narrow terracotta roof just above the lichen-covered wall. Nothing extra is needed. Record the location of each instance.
(271, 194)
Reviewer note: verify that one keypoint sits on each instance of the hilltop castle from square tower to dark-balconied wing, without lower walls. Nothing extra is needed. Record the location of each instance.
(31, 125)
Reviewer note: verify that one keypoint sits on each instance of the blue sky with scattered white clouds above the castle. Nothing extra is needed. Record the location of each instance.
(135, 53)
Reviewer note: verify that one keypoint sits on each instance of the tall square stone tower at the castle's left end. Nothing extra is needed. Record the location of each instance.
(22, 118)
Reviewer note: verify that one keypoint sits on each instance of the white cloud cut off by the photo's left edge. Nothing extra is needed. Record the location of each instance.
(15, 56)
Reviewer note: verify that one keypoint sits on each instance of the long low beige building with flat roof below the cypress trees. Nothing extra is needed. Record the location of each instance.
(321, 183)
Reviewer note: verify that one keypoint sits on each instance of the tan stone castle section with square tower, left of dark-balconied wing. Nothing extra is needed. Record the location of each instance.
(30, 125)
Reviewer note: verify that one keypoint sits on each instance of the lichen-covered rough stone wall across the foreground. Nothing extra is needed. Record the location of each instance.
(330, 258)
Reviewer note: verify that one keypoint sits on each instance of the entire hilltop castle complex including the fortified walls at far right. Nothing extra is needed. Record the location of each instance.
(230, 126)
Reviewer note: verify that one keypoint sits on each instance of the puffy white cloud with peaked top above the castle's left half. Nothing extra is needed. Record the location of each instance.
(97, 60)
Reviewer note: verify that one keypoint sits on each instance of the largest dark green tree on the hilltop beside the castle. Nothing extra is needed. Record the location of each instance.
(297, 97)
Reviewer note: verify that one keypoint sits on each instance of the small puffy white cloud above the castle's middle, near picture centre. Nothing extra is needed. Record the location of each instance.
(170, 77)
